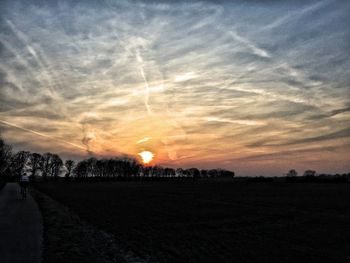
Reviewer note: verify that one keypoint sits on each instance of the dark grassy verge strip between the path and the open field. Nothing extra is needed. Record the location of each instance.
(67, 238)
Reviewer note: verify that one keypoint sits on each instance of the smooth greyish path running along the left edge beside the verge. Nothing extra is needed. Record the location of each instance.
(20, 227)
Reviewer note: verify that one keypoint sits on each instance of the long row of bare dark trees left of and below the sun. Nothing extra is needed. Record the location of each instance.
(51, 166)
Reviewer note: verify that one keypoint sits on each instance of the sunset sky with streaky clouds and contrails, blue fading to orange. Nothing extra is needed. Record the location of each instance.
(258, 87)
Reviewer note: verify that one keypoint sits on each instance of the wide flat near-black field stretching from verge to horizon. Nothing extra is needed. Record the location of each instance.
(217, 221)
